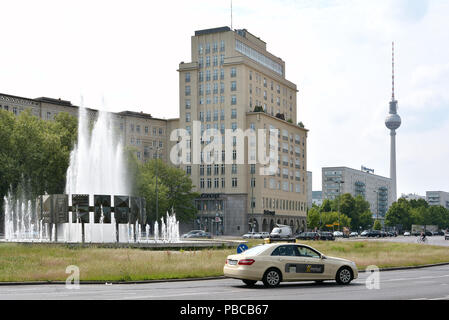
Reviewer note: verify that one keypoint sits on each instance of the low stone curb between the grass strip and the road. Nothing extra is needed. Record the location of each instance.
(190, 279)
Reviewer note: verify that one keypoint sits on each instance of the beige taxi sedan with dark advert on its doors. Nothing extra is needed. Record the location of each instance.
(278, 262)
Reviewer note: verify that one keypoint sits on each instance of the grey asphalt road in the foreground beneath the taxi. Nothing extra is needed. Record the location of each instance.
(420, 284)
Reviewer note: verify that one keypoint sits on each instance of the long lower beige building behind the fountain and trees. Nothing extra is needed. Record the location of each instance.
(140, 130)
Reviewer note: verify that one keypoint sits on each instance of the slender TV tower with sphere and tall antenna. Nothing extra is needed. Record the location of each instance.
(393, 122)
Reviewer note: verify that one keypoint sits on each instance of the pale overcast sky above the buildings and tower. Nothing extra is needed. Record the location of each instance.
(338, 52)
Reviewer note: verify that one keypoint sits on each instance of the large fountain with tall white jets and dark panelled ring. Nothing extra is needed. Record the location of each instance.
(96, 207)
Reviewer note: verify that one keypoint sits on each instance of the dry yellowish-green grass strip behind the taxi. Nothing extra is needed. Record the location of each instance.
(21, 262)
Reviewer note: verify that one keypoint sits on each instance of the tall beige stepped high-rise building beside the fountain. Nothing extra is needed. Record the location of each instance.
(230, 74)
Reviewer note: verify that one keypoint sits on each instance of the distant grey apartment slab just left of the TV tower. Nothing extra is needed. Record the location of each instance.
(375, 189)
